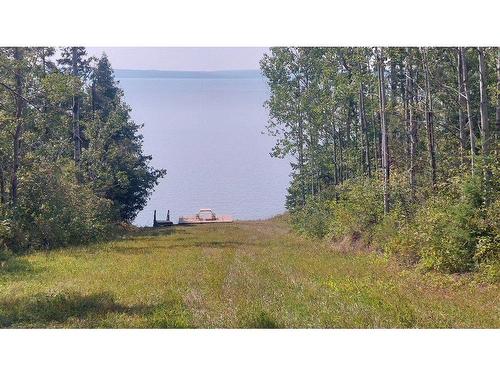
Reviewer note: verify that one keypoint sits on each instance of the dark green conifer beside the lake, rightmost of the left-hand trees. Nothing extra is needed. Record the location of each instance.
(114, 163)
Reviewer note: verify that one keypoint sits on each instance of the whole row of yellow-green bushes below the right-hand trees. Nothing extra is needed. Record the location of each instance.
(449, 232)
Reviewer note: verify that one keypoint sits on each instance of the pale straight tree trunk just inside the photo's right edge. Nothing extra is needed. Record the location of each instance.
(485, 126)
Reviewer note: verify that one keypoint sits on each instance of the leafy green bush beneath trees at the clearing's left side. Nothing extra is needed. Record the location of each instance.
(55, 210)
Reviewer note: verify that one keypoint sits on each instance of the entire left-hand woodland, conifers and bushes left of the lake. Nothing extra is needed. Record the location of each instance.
(71, 158)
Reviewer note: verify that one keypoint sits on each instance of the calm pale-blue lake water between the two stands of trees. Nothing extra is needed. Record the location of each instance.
(207, 134)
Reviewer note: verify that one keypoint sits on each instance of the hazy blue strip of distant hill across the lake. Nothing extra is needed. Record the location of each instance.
(169, 74)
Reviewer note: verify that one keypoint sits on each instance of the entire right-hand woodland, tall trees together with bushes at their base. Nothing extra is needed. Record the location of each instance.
(395, 147)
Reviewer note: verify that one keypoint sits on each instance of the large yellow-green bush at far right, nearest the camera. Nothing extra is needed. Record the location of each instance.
(450, 232)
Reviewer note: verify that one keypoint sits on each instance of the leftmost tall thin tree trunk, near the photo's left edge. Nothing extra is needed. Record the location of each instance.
(16, 156)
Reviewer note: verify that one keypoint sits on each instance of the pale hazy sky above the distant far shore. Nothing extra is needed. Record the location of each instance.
(182, 58)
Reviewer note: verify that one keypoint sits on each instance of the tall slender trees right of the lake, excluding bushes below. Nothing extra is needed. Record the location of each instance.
(415, 120)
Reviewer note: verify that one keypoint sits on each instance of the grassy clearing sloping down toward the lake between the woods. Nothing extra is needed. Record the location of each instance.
(245, 274)
